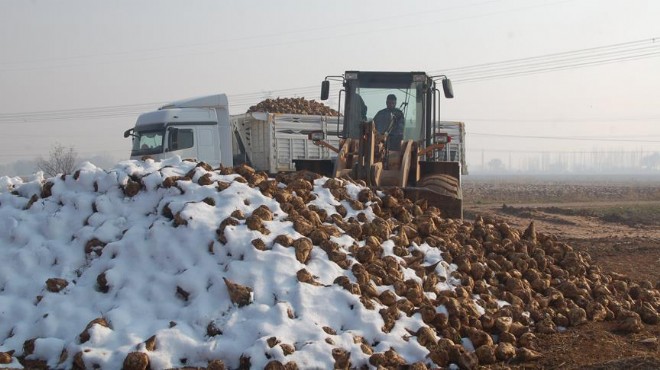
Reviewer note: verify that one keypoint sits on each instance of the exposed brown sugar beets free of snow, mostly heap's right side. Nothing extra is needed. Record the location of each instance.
(548, 284)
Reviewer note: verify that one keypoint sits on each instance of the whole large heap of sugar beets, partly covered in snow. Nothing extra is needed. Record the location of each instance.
(172, 264)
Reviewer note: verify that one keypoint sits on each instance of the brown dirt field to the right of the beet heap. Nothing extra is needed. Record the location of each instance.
(616, 220)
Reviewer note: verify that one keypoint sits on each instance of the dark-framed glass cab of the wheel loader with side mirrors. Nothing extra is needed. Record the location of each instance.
(365, 94)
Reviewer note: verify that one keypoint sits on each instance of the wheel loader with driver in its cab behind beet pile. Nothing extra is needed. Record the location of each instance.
(400, 146)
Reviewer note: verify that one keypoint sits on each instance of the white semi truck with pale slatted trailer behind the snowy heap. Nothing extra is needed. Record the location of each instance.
(202, 129)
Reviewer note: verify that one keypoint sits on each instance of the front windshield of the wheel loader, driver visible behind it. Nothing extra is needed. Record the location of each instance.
(365, 102)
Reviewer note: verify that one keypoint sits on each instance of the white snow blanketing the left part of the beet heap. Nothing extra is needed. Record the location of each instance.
(126, 260)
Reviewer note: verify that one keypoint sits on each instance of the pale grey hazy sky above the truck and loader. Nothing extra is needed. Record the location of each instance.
(79, 72)
